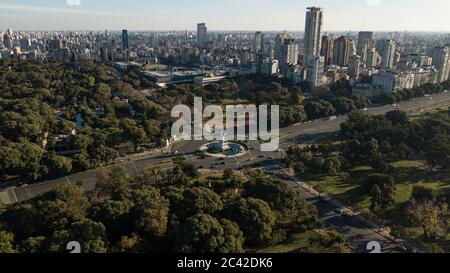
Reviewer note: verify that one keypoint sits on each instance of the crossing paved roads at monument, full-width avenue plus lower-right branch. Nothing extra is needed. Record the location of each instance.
(358, 230)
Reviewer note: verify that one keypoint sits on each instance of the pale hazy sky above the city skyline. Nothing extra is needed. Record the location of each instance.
(266, 15)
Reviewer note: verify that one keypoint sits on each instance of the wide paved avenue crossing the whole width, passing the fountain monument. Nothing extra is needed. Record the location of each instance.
(303, 133)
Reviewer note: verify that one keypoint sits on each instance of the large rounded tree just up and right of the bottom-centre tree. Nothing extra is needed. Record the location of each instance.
(255, 219)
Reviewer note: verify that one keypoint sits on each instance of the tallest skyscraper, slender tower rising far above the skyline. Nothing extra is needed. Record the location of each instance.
(313, 31)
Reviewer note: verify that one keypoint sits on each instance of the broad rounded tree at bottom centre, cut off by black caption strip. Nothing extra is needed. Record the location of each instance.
(203, 233)
